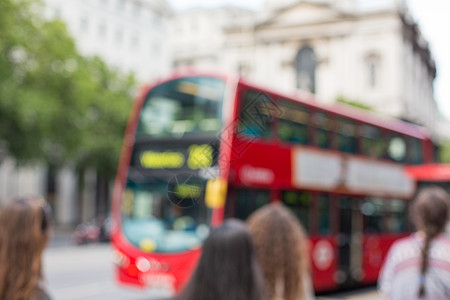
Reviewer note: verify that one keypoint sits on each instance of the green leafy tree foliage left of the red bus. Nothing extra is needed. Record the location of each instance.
(57, 106)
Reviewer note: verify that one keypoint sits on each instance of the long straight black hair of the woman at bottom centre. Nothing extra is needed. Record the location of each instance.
(228, 268)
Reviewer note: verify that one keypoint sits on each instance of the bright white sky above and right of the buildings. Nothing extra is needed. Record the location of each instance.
(431, 15)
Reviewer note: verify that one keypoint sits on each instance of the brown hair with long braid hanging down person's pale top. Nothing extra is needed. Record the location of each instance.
(429, 214)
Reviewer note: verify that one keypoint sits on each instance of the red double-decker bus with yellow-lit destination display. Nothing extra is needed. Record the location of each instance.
(200, 148)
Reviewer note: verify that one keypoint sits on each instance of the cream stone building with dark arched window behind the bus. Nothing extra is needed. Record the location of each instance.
(367, 51)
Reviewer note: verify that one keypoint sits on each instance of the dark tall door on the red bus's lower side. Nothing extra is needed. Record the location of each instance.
(349, 242)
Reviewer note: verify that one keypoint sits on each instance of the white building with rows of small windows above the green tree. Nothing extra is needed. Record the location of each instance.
(129, 35)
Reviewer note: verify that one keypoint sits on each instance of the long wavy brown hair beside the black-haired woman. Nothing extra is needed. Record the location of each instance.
(279, 238)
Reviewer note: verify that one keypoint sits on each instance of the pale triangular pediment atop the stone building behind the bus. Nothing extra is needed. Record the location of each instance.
(301, 13)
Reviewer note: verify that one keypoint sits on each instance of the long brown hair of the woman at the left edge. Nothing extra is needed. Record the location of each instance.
(23, 237)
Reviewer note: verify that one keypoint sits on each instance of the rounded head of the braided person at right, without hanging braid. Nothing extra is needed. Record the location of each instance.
(430, 210)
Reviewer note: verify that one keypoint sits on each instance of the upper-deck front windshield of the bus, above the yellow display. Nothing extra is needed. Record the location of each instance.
(182, 107)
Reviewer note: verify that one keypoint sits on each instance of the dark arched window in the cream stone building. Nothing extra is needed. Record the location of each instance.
(305, 67)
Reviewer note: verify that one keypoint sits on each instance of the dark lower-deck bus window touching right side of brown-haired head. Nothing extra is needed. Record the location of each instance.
(298, 203)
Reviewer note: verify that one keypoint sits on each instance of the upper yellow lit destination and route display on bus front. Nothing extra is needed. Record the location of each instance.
(196, 157)
